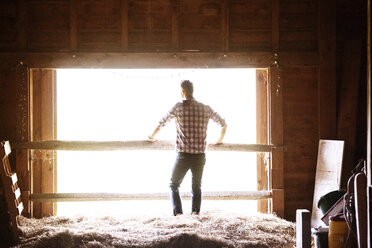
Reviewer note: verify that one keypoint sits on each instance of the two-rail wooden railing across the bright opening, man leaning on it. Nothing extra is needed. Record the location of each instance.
(139, 145)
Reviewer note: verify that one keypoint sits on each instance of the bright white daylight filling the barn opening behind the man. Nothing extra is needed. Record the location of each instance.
(127, 104)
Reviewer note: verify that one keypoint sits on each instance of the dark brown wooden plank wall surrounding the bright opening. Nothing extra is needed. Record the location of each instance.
(306, 40)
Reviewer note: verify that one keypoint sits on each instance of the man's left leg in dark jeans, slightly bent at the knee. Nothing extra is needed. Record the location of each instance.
(178, 173)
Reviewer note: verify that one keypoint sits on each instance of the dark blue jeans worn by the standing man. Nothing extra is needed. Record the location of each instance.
(185, 162)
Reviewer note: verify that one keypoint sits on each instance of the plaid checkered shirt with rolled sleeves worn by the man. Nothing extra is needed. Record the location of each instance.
(192, 119)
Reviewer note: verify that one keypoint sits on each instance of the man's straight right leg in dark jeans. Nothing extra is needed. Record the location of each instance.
(197, 169)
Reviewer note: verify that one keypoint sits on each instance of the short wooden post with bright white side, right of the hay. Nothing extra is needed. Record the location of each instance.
(303, 228)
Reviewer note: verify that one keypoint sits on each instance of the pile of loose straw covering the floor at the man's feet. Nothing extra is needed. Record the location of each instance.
(206, 230)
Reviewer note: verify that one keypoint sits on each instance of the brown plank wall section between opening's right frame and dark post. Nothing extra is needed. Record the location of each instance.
(298, 35)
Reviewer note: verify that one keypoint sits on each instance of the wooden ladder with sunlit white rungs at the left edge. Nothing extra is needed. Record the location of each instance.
(11, 189)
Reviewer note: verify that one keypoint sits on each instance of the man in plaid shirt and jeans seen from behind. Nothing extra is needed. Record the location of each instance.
(192, 119)
